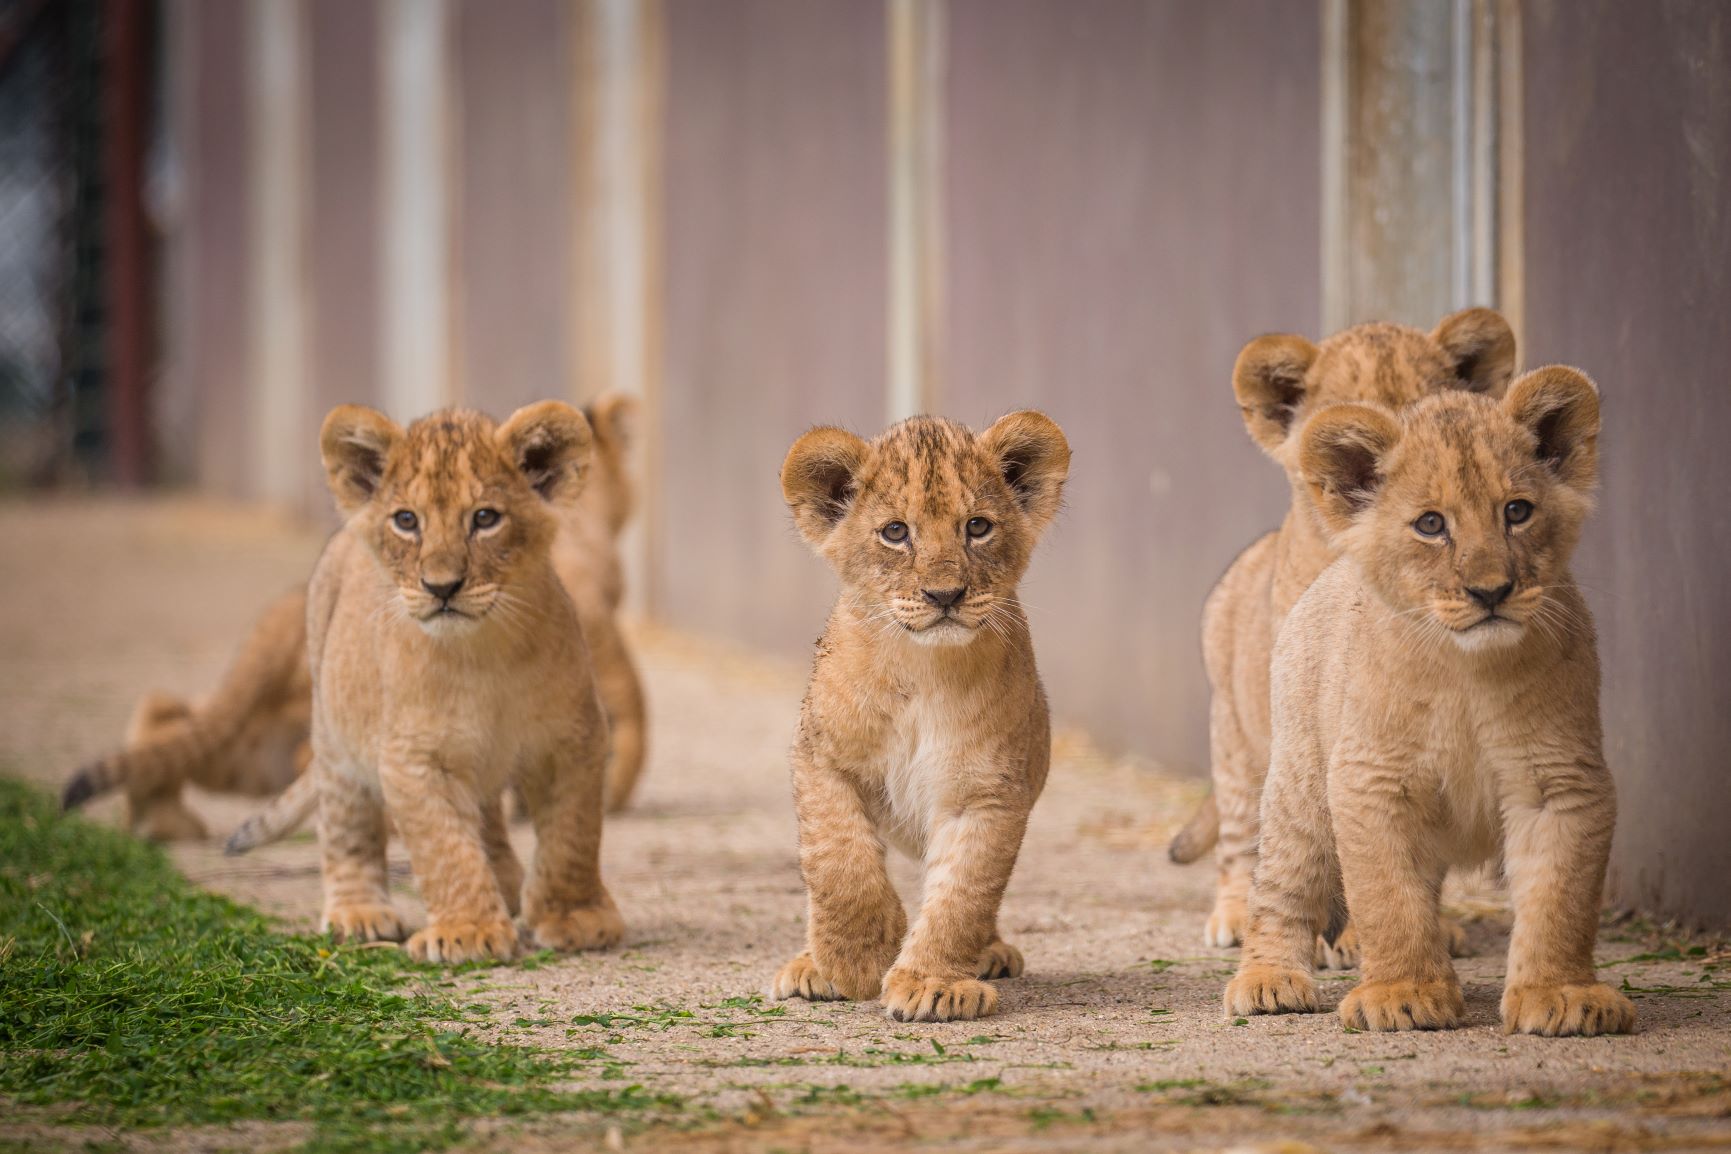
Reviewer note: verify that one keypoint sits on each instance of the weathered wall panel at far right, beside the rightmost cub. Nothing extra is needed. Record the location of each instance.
(1628, 125)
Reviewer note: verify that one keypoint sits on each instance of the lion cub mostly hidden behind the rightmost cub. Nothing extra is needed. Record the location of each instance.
(1280, 381)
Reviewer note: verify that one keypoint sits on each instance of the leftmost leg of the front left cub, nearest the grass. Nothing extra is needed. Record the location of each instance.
(352, 843)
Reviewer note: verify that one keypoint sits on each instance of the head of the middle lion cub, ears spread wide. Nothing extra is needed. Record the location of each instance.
(930, 527)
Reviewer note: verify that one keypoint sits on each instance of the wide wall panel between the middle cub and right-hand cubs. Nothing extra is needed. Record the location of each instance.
(1133, 195)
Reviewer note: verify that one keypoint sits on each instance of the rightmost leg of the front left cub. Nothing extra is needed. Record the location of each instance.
(565, 904)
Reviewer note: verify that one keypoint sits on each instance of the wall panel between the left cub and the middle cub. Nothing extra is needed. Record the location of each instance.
(776, 290)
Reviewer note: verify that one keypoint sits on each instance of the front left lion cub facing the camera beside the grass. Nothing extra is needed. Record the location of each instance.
(447, 660)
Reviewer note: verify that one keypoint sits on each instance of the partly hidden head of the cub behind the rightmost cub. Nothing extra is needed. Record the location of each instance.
(1282, 380)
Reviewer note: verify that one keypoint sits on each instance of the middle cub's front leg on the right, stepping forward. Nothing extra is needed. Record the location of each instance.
(968, 864)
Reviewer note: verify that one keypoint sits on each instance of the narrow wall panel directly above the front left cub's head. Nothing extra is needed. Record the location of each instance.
(515, 203)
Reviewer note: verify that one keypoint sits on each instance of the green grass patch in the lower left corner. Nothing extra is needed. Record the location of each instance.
(132, 999)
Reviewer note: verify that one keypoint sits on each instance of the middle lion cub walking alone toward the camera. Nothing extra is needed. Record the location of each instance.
(925, 724)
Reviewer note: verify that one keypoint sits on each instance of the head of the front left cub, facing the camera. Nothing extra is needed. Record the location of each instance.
(456, 508)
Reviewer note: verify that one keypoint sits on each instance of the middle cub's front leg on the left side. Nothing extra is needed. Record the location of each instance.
(854, 920)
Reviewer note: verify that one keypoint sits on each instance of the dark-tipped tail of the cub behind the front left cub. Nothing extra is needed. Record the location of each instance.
(172, 743)
